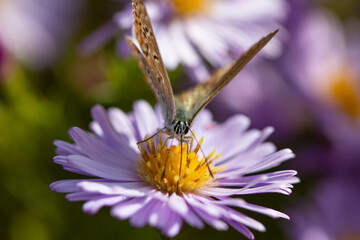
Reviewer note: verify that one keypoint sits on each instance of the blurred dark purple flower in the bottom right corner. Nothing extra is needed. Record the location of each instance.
(332, 213)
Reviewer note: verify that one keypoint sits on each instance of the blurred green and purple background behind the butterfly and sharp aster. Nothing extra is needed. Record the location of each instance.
(60, 57)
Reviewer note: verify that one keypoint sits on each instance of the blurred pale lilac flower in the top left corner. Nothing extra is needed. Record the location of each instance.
(34, 30)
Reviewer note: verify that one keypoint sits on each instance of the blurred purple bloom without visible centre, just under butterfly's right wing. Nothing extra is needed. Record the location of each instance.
(262, 93)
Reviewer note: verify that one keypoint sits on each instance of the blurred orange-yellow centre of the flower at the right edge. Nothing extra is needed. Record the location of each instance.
(343, 90)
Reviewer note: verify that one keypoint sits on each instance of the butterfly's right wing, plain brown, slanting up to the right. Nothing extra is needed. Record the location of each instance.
(192, 101)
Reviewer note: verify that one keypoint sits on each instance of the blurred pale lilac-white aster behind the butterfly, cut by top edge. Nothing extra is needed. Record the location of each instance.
(190, 31)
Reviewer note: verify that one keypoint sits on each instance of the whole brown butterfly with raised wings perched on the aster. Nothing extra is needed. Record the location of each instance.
(179, 110)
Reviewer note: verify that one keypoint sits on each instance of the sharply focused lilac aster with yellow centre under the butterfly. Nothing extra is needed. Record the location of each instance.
(128, 179)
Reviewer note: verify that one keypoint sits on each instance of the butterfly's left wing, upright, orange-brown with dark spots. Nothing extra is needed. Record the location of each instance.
(158, 78)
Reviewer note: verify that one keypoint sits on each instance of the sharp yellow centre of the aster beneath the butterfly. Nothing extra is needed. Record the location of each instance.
(172, 170)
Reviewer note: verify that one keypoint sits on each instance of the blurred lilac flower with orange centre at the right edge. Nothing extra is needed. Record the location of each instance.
(323, 65)
